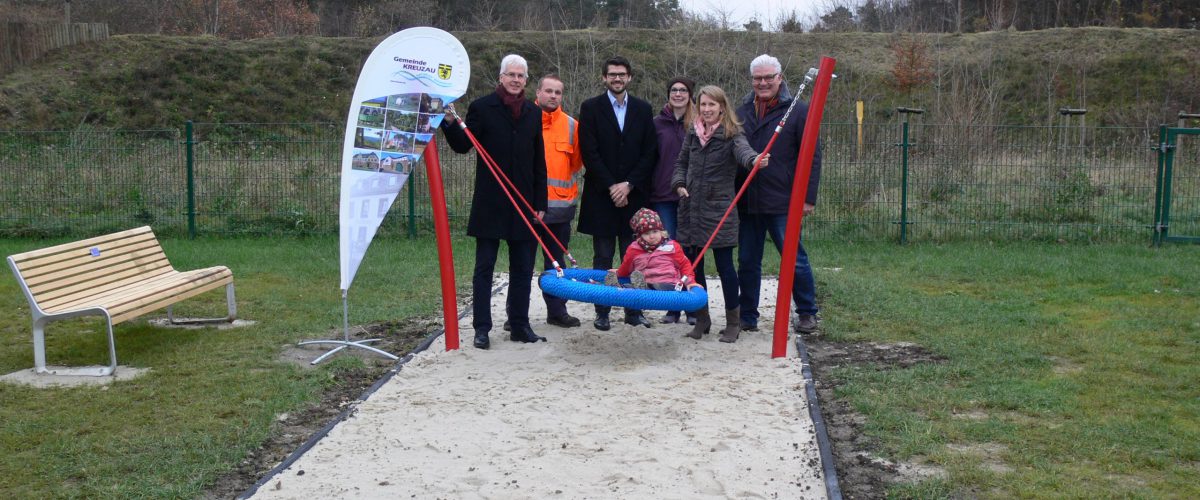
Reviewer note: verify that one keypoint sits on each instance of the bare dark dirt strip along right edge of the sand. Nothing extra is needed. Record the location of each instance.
(861, 474)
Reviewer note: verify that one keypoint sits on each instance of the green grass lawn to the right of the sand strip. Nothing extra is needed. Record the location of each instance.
(1071, 370)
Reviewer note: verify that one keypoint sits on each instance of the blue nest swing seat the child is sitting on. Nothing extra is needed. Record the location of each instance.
(587, 286)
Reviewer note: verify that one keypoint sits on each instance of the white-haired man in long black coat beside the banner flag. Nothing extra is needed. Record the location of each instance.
(509, 129)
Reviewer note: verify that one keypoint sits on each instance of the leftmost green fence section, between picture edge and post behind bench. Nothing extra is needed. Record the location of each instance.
(91, 182)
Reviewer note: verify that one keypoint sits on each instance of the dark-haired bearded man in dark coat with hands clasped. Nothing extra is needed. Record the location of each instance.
(620, 150)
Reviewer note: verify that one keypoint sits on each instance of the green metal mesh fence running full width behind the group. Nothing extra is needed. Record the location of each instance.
(946, 183)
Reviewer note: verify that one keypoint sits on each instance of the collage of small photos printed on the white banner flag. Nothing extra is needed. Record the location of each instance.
(393, 131)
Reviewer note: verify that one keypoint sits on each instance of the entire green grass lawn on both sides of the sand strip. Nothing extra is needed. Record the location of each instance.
(1071, 370)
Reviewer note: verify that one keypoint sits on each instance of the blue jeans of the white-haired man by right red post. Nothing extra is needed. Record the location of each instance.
(753, 231)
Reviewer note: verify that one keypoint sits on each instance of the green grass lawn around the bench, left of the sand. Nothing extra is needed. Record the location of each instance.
(211, 395)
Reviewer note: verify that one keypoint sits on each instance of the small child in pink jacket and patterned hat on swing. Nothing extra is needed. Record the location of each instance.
(653, 261)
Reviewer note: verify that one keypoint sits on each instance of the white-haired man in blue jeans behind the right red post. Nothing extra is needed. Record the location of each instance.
(764, 208)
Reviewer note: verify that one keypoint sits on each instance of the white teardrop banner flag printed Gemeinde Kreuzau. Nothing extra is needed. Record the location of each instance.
(399, 103)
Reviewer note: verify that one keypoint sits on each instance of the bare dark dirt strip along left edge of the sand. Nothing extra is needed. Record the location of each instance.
(296, 429)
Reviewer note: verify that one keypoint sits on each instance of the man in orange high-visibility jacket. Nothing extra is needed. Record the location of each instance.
(560, 134)
